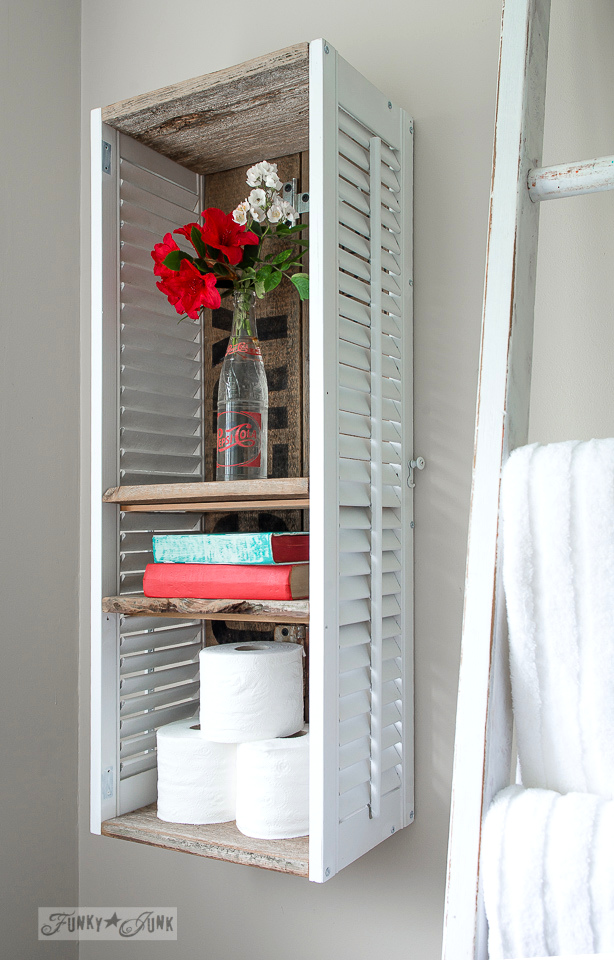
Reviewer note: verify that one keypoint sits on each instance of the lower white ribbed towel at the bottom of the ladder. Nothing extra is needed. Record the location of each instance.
(547, 874)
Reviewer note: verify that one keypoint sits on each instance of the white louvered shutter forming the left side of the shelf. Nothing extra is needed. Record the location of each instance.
(149, 426)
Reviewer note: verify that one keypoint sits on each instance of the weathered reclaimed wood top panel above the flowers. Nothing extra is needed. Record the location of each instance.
(258, 110)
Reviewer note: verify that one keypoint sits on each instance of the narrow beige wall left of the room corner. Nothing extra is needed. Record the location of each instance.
(39, 467)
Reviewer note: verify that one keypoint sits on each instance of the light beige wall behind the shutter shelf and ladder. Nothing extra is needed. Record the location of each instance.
(439, 61)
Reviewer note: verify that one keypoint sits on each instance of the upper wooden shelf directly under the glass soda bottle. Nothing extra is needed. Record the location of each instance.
(218, 492)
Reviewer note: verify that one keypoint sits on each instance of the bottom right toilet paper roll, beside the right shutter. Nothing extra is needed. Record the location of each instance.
(273, 787)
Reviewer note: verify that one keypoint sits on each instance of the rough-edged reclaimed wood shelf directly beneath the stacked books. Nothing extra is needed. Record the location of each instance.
(268, 611)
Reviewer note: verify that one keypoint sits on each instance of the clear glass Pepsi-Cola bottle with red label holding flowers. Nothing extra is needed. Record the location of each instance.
(243, 399)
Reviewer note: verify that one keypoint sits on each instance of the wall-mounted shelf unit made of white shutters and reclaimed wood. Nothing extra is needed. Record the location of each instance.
(340, 441)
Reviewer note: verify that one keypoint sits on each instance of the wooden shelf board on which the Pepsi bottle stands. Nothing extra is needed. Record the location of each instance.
(286, 493)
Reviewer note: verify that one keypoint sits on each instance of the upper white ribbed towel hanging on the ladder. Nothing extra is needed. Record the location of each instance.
(558, 570)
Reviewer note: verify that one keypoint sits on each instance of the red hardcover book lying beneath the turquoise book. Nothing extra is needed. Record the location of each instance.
(227, 581)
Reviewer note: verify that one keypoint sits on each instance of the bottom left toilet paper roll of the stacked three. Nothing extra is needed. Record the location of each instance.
(197, 779)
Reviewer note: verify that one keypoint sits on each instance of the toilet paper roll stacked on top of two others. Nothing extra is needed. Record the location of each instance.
(251, 691)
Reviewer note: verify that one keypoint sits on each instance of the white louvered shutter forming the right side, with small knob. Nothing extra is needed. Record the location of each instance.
(361, 702)
